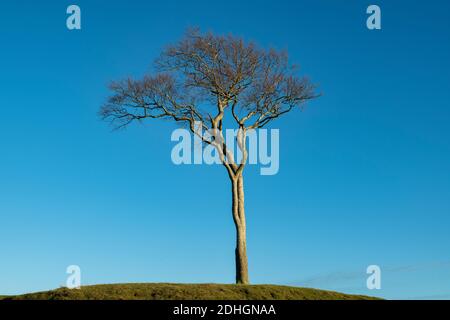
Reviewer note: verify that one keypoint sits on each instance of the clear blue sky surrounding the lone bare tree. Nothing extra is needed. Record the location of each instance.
(364, 174)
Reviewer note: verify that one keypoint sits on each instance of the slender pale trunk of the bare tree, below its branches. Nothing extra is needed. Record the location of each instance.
(239, 221)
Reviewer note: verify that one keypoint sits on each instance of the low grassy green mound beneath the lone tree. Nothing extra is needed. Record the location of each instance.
(166, 291)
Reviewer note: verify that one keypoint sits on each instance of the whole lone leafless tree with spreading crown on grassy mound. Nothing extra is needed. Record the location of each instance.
(206, 78)
